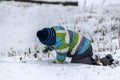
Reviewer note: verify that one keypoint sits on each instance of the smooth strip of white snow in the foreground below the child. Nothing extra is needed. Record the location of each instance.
(34, 70)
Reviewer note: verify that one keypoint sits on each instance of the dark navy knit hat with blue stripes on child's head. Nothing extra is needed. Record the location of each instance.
(47, 36)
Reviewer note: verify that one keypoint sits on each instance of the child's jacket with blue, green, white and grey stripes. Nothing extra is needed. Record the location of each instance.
(69, 43)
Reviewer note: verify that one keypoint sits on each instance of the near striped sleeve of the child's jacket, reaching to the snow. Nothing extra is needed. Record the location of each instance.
(62, 45)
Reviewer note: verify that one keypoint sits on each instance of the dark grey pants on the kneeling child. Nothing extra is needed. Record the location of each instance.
(85, 58)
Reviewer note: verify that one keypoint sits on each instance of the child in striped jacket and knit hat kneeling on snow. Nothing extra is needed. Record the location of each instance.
(68, 43)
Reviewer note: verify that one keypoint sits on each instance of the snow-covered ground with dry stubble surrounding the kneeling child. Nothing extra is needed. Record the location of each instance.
(19, 23)
